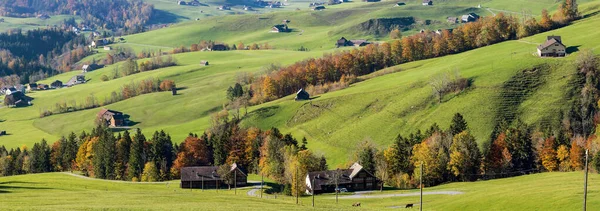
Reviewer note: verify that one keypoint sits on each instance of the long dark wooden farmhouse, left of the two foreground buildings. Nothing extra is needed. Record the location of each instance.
(208, 177)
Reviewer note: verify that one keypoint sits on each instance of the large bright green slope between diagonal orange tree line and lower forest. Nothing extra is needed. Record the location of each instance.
(381, 108)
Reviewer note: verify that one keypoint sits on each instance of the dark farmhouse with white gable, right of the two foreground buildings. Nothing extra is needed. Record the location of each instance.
(355, 178)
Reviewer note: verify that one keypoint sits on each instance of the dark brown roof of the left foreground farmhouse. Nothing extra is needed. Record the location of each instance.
(209, 173)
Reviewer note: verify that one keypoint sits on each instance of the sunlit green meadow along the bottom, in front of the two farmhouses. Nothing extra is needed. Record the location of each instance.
(58, 191)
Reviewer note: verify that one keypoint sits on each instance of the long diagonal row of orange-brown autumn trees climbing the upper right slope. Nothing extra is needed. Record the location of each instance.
(357, 62)
